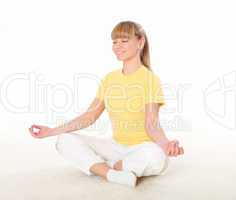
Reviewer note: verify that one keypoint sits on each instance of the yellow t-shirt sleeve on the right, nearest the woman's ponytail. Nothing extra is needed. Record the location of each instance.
(153, 90)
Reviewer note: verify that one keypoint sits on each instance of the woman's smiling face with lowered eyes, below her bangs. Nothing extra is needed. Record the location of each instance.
(125, 48)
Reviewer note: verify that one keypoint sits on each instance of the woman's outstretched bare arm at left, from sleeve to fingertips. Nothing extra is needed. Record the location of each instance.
(86, 119)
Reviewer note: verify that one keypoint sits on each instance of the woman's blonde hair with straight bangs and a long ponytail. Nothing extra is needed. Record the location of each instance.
(129, 29)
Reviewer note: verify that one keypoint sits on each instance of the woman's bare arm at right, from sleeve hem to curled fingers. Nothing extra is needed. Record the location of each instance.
(156, 133)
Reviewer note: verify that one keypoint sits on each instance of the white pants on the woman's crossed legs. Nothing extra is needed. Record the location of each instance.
(143, 159)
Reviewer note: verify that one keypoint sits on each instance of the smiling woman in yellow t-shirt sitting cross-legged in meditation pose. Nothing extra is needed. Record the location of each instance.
(132, 95)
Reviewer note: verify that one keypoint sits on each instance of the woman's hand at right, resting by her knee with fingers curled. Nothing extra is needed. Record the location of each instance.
(171, 148)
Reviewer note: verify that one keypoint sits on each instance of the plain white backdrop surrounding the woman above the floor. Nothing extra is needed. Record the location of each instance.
(193, 48)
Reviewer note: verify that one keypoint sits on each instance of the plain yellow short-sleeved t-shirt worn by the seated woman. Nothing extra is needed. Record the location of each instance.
(125, 97)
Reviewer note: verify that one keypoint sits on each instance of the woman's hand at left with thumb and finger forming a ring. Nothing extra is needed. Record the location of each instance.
(41, 131)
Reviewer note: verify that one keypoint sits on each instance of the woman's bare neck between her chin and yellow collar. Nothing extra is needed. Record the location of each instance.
(130, 66)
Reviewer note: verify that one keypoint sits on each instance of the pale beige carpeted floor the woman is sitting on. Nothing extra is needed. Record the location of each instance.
(31, 169)
